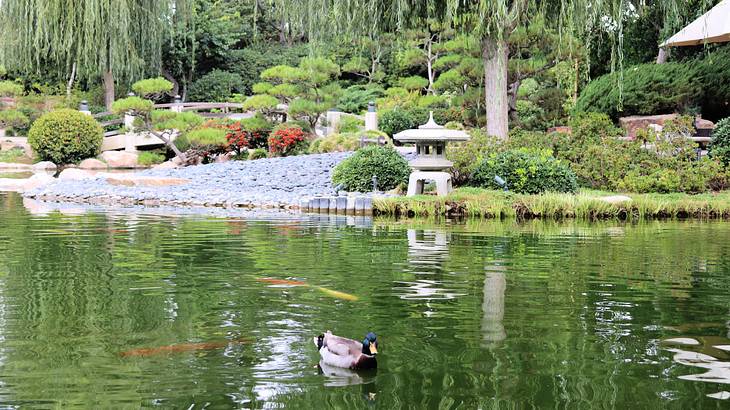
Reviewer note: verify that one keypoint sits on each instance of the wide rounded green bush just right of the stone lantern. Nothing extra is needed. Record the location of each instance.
(525, 172)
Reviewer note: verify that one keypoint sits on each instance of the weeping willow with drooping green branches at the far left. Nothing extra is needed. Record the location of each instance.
(87, 39)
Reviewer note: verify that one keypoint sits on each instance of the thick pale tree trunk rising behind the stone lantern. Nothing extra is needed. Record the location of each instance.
(496, 103)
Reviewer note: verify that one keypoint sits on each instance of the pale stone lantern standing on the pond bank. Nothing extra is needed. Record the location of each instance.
(430, 163)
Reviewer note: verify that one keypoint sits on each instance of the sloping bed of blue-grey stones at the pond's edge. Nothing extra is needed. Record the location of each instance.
(271, 182)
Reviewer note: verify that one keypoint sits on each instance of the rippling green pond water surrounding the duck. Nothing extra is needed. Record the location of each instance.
(480, 314)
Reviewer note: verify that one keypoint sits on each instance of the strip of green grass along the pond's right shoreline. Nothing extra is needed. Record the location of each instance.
(586, 204)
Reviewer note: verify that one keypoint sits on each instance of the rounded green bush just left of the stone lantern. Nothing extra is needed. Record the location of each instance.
(356, 173)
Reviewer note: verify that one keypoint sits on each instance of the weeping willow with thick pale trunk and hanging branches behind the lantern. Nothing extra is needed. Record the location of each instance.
(491, 21)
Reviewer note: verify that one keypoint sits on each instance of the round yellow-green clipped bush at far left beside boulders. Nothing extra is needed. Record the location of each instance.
(65, 136)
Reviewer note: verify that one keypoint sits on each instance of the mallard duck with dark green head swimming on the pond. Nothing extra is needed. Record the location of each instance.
(347, 353)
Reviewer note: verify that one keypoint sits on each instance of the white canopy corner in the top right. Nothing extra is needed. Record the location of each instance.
(711, 27)
